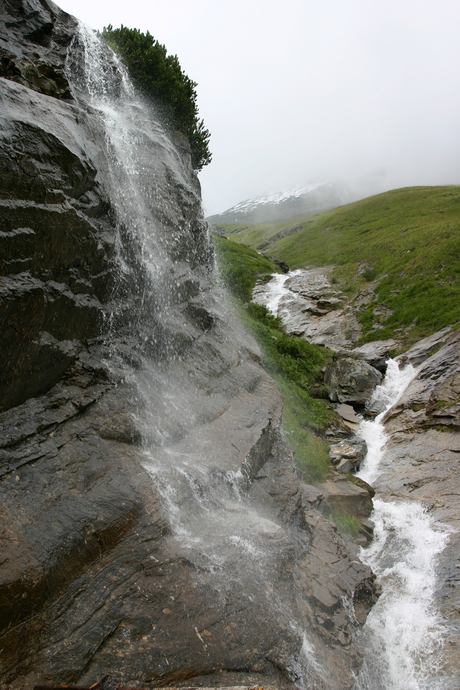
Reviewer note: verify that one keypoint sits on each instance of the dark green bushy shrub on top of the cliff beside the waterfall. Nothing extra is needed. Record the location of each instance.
(160, 76)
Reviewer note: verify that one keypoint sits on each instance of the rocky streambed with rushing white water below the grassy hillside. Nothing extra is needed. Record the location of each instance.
(413, 466)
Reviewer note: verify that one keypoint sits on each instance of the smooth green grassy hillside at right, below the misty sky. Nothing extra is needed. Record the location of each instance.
(403, 244)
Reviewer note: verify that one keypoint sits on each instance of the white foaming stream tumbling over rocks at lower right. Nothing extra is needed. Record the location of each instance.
(403, 635)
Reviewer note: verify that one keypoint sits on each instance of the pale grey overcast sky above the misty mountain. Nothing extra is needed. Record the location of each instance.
(297, 91)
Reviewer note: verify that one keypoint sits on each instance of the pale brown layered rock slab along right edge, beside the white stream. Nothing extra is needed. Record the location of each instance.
(421, 462)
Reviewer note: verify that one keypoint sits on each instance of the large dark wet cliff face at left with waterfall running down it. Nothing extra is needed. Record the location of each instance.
(152, 523)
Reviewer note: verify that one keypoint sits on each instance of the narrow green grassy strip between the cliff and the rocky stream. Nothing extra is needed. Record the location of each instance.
(295, 365)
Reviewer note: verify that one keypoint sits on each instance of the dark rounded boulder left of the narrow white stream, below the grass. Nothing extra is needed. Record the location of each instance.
(351, 380)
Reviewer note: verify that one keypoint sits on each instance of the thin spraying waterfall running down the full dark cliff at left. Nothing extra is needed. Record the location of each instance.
(237, 552)
